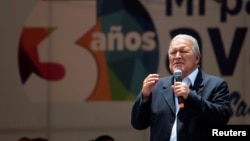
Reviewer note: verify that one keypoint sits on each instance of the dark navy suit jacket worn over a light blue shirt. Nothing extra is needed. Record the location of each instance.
(206, 106)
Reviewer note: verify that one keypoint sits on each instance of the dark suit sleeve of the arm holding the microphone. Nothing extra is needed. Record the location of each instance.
(212, 105)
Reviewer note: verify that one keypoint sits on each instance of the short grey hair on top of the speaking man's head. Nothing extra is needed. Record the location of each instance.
(196, 48)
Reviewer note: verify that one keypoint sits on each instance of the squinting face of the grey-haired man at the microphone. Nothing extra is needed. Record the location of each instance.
(182, 56)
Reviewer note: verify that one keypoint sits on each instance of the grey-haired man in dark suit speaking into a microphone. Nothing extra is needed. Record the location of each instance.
(206, 98)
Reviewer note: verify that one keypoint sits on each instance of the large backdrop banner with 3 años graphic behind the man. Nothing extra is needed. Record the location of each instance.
(80, 64)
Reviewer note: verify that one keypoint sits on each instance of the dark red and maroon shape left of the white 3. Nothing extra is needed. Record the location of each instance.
(29, 61)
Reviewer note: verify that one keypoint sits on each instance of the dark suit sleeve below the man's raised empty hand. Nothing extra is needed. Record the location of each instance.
(140, 117)
